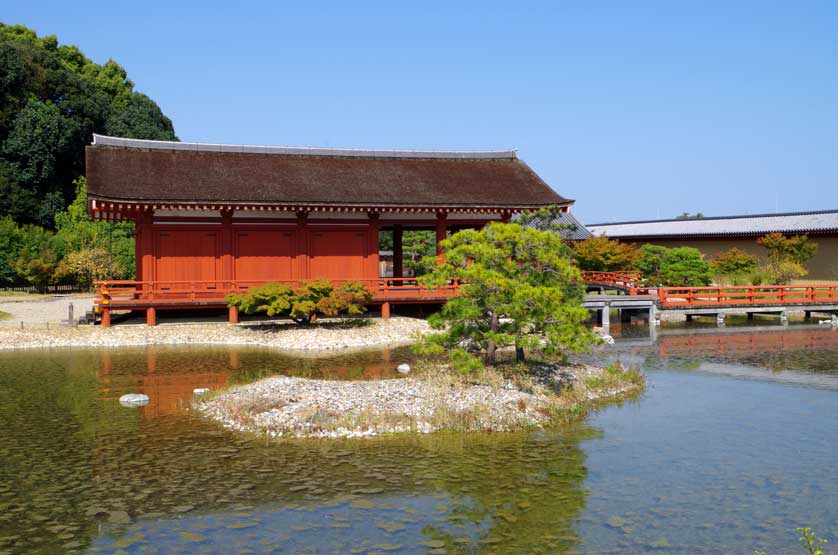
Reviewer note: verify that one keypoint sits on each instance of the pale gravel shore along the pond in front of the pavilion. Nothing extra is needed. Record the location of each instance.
(356, 333)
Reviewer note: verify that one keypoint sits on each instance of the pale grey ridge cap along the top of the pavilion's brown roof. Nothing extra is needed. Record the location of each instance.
(104, 140)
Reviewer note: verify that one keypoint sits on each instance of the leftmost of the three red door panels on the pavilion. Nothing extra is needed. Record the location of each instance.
(184, 255)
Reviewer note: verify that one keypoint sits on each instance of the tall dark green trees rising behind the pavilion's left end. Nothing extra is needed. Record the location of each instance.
(52, 99)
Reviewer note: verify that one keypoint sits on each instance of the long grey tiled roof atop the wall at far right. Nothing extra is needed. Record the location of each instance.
(725, 226)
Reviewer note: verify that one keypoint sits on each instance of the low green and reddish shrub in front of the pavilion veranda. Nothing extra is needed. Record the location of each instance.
(312, 297)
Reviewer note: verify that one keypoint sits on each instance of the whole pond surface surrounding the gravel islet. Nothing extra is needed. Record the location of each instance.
(733, 446)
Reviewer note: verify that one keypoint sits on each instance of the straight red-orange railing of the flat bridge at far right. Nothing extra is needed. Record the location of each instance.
(752, 295)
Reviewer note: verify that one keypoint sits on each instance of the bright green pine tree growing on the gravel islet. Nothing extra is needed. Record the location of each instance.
(519, 289)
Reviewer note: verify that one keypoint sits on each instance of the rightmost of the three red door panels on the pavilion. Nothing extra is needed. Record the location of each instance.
(337, 254)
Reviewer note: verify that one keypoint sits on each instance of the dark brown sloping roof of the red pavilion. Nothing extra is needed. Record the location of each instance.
(131, 170)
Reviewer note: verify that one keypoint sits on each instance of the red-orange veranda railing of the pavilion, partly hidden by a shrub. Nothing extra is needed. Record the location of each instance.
(118, 293)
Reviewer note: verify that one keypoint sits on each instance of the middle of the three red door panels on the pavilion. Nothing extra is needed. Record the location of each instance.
(265, 255)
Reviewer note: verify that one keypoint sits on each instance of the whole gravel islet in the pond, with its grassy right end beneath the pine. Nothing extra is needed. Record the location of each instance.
(287, 407)
